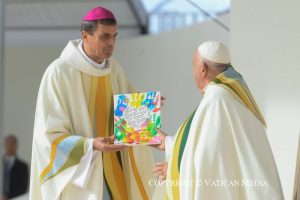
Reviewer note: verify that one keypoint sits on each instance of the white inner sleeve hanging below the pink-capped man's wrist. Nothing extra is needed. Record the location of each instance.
(85, 167)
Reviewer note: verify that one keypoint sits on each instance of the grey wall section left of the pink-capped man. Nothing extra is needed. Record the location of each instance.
(23, 71)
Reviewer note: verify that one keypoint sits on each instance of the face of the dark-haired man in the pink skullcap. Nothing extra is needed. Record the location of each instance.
(101, 43)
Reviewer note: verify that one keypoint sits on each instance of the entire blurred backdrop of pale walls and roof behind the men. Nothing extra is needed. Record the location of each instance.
(155, 45)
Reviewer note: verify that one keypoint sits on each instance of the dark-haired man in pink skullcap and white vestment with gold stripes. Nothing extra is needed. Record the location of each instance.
(72, 154)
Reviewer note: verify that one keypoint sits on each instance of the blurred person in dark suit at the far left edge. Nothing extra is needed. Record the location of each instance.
(15, 171)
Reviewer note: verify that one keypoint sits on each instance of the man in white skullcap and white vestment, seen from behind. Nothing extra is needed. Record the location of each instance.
(221, 151)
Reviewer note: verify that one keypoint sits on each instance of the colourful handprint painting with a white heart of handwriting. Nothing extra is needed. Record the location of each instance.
(136, 117)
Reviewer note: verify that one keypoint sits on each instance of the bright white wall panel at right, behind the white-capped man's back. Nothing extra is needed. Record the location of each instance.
(265, 39)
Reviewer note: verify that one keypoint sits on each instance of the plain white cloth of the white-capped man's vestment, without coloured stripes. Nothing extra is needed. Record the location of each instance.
(227, 154)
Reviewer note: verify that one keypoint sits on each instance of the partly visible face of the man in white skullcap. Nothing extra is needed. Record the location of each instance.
(197, 71)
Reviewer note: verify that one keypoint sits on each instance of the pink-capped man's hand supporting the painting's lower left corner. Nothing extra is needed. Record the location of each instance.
(106, 144)
